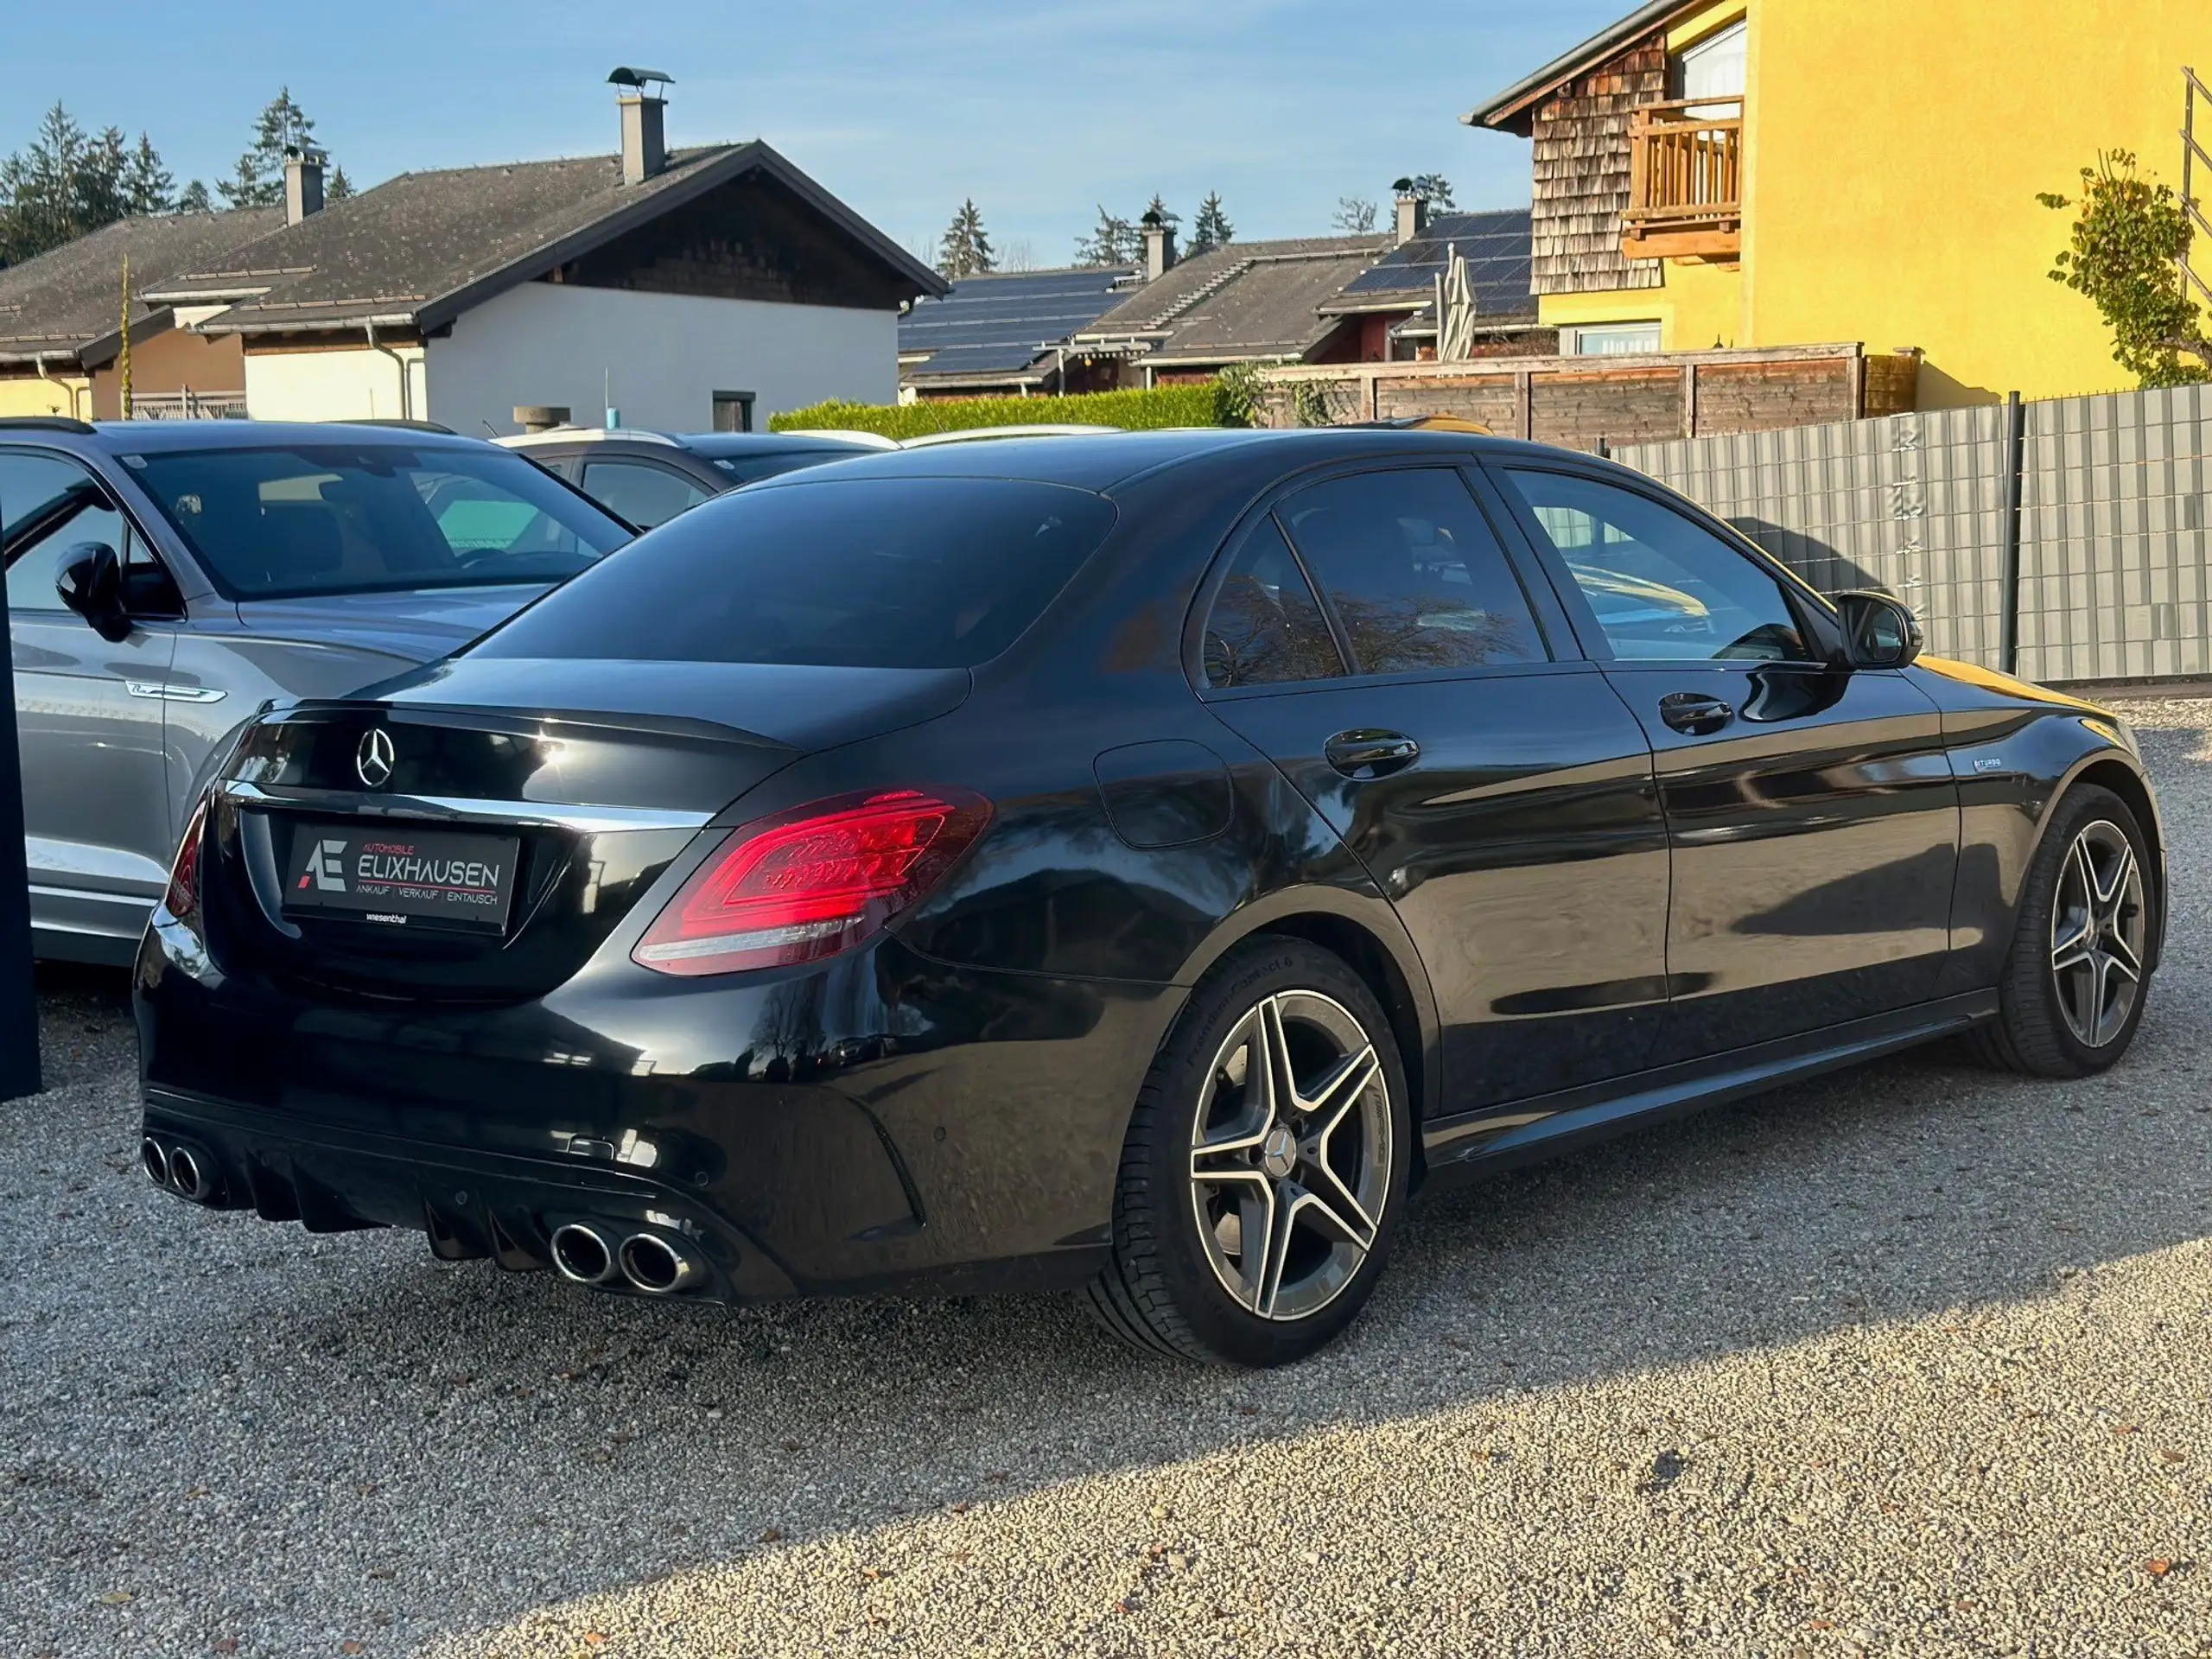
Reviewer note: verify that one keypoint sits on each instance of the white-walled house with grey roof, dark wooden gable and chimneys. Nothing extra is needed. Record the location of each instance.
(667, 289)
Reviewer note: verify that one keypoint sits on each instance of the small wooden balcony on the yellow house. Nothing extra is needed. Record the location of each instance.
(1684, 180)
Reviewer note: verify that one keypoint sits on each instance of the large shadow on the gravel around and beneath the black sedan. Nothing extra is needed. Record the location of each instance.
(346, 1399)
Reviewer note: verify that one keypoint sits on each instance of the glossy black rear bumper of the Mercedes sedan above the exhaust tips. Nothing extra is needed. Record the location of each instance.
(875, 1123)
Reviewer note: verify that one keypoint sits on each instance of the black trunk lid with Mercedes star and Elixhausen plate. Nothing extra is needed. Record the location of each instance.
(474, 831)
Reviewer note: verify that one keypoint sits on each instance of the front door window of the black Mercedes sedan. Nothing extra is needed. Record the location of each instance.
(1662, 587)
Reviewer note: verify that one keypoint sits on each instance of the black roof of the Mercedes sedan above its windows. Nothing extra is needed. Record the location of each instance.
(1114, 459)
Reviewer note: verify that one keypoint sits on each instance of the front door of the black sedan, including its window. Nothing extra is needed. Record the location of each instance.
(1811, 808)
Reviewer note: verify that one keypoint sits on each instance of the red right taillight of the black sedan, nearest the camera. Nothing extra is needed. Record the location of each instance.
(813, 881)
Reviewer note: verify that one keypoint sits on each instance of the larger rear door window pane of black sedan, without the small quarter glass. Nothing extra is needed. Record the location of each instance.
(1415, 572)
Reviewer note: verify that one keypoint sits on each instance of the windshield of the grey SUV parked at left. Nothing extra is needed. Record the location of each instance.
(355, 519)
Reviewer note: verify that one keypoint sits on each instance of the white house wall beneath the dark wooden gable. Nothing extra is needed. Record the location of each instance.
(669, 357)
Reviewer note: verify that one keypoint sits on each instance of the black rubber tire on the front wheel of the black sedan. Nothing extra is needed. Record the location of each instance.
(2036, 1030)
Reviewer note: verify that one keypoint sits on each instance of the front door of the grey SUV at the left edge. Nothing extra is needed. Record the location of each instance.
(90, 716)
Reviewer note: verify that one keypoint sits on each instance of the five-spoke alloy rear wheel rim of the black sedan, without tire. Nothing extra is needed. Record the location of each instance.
(1291, 1156)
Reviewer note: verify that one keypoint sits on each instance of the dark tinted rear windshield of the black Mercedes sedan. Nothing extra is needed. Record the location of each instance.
(875, 574)
